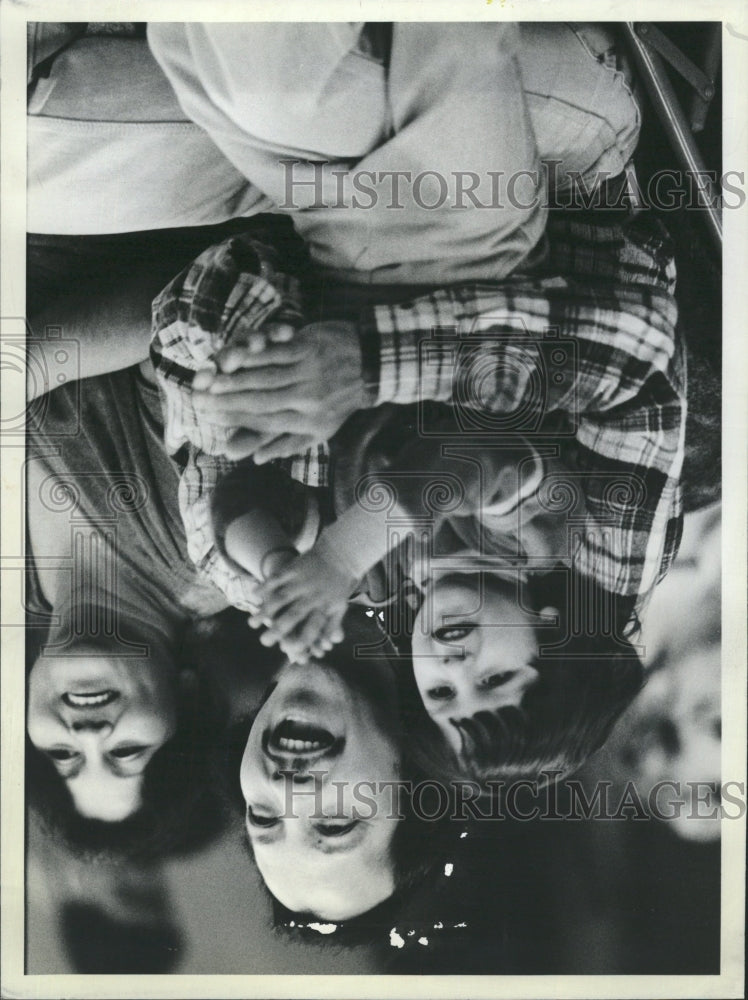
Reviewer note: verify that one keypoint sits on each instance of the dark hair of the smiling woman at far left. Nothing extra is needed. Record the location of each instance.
(184, 798)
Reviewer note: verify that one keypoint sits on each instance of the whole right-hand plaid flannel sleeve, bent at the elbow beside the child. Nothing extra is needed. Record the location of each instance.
(594, 340)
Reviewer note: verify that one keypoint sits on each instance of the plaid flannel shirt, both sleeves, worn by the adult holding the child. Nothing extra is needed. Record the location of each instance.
(587, 346)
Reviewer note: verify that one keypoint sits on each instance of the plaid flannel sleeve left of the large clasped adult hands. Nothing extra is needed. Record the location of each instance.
(228, 290)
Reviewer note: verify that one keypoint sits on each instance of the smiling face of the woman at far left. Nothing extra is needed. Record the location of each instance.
(100, 719)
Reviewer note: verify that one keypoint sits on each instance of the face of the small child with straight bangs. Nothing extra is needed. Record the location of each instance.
(473, 649)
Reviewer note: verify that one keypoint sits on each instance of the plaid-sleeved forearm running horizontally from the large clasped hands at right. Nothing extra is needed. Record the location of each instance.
(497, 350)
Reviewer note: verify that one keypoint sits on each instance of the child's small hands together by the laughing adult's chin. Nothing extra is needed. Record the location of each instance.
(303, 606)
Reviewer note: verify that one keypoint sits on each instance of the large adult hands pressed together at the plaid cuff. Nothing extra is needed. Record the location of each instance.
(288, 396)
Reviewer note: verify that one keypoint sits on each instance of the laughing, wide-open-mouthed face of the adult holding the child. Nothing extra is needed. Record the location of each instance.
(320, 816)
